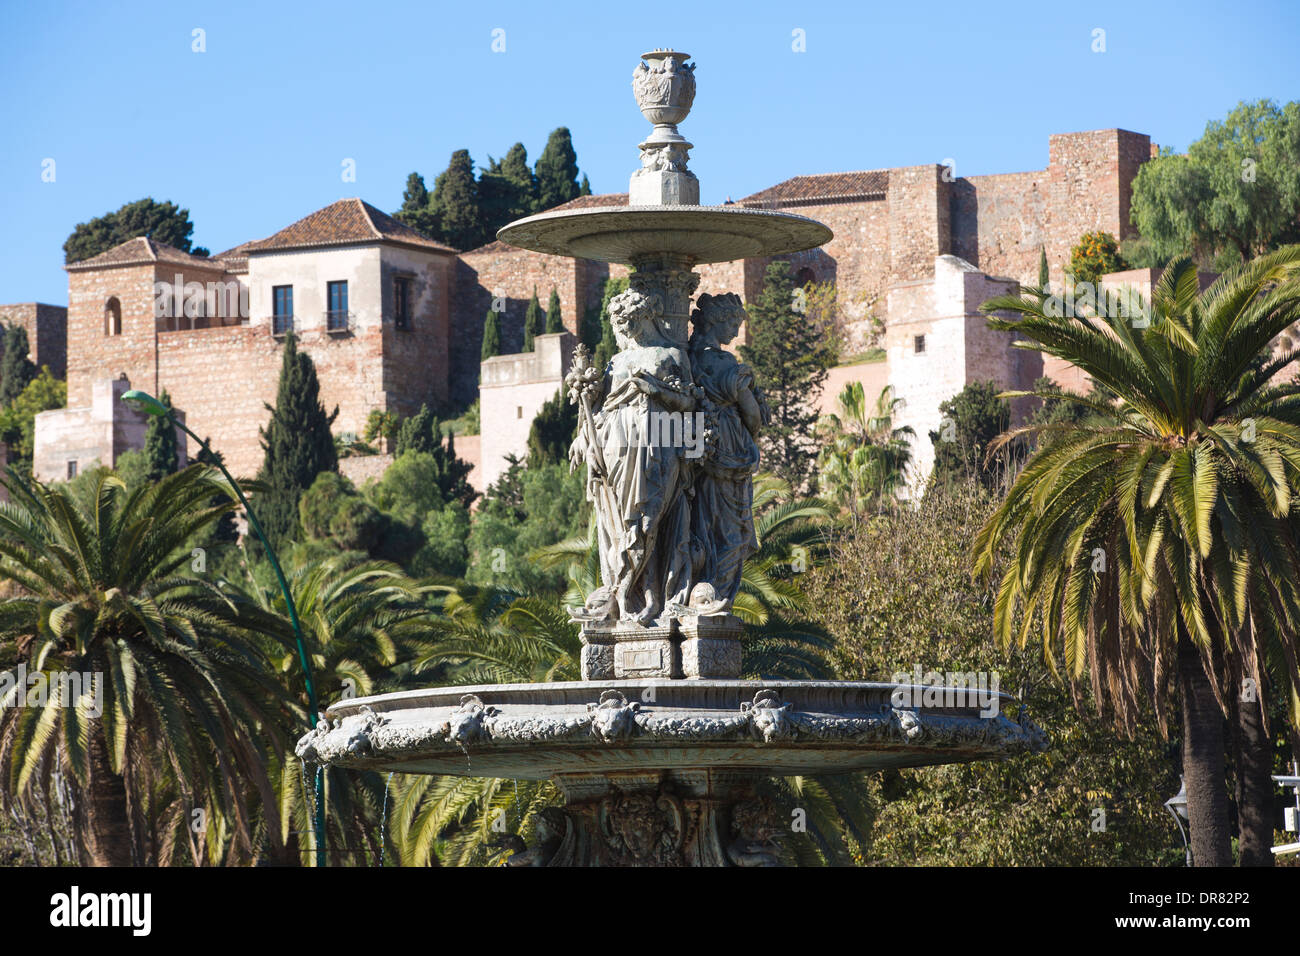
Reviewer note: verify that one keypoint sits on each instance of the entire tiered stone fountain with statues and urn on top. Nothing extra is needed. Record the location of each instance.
(660, 749)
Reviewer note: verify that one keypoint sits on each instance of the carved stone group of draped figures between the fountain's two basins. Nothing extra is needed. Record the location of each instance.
(669, 435)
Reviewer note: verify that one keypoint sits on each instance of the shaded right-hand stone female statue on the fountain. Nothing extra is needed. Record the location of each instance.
(722, 513)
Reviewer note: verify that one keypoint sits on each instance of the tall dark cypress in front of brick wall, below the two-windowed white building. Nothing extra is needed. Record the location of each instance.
(297, 442)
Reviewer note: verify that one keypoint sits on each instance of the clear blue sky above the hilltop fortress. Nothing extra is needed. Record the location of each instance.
(253, 133)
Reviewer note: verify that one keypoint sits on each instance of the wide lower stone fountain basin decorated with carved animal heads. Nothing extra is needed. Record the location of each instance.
(543, 732)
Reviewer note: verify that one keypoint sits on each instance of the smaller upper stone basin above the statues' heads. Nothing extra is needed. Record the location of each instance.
(701, 233)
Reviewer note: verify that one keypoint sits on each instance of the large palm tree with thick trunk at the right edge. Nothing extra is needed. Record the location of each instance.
(1156, 539)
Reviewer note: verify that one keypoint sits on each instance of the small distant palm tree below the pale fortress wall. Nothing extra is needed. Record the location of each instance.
(864, 458)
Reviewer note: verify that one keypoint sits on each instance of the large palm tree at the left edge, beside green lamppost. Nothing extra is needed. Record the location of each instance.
(181, 710)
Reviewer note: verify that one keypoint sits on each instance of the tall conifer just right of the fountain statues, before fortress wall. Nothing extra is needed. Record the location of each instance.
(790, 357)
